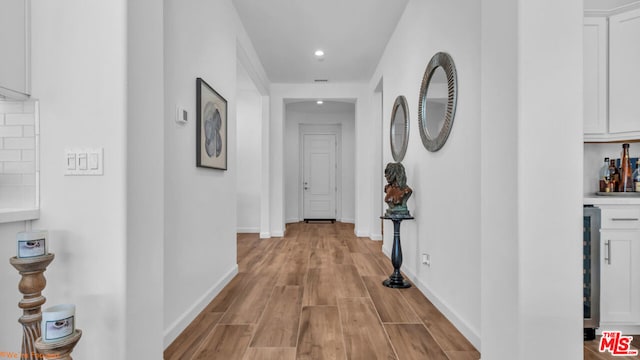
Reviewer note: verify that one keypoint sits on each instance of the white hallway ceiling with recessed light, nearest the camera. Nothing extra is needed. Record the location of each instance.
(352, 33)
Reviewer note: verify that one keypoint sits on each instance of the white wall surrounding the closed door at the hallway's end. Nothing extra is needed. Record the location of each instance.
(330, 113)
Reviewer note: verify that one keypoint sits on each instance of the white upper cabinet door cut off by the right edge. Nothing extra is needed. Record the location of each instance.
(624, 72)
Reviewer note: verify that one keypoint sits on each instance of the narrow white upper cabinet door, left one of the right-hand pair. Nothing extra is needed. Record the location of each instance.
(595, 75)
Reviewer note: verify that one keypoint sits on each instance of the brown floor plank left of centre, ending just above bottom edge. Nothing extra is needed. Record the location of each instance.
(279, 324)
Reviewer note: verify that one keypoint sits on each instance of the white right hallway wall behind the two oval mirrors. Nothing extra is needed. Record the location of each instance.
(446, 196)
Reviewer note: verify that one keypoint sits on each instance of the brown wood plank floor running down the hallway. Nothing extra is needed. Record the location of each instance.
(317, 294)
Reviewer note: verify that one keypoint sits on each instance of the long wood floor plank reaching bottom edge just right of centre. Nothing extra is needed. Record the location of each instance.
(364, 336)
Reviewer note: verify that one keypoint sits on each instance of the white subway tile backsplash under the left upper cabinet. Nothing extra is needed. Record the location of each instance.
(18, 154)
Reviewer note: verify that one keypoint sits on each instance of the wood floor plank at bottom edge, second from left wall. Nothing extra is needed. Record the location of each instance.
(225, 342)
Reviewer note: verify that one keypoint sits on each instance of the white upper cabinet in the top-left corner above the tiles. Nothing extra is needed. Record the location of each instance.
(15, 48)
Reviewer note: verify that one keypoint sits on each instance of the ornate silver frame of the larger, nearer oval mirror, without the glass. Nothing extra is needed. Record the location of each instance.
(445, 61)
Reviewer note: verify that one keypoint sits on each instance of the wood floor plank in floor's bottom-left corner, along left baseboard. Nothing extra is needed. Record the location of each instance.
(188, 341)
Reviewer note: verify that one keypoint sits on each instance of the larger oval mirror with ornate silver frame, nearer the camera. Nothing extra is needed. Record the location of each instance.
(437, 103)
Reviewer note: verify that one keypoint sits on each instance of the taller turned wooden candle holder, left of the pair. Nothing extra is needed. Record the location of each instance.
(31, 286)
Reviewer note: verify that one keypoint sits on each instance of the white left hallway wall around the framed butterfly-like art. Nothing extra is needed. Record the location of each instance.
(200, 204)
